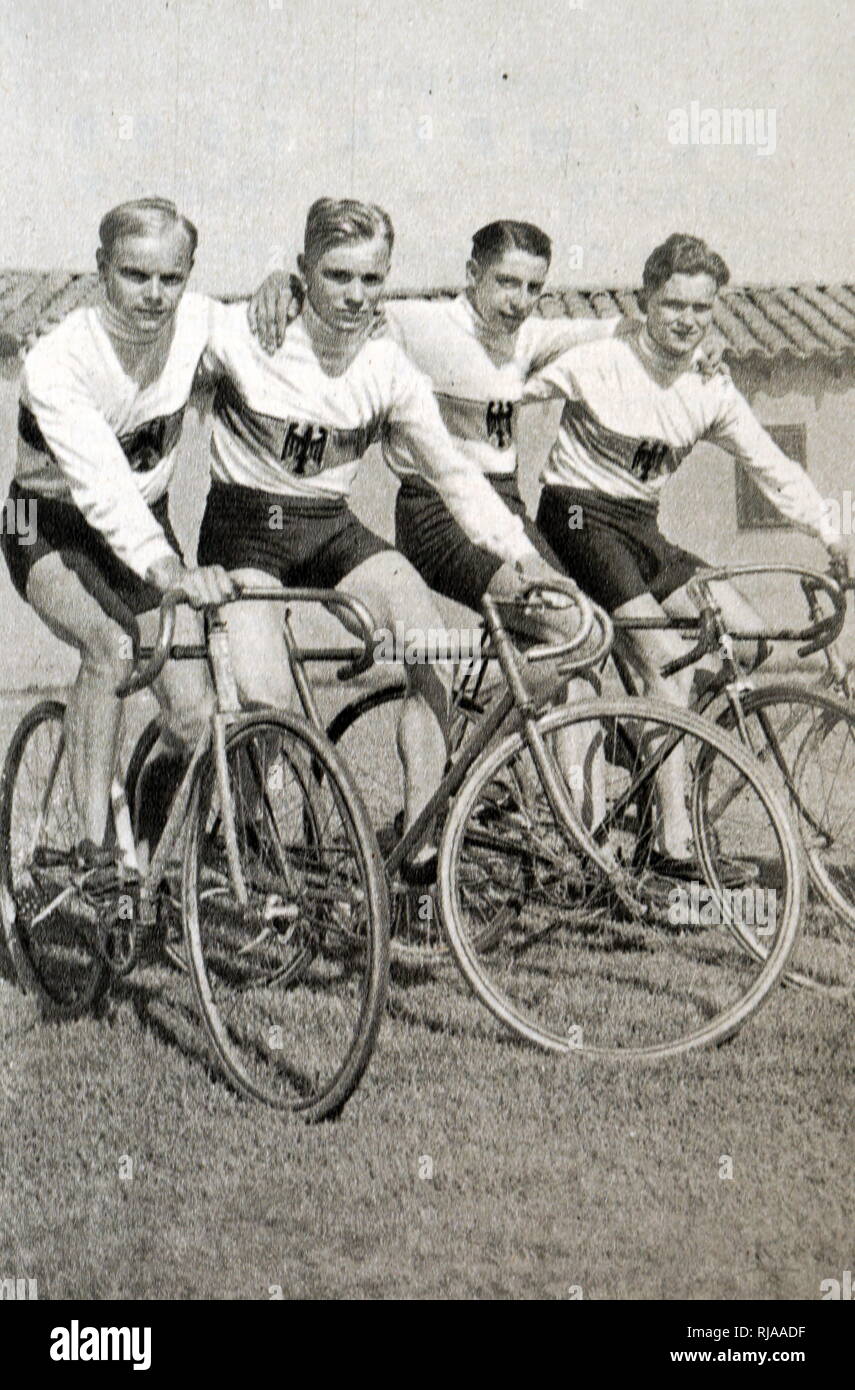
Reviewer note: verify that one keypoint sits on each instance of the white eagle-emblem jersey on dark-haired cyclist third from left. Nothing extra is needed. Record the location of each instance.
(479, 376)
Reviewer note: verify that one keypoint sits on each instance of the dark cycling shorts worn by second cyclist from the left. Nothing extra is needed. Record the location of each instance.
(304, 543)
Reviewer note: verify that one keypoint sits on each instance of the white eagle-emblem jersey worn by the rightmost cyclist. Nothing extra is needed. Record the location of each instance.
(632, 418)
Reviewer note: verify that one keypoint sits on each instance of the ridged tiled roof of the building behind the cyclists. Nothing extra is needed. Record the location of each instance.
(801, 322)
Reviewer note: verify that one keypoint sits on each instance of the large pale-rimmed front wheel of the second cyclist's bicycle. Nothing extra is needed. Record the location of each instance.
(578, 942)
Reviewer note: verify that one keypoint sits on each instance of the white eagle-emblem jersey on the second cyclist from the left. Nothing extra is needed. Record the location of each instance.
(287, 426)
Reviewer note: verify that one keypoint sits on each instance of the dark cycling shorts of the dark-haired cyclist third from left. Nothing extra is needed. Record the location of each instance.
(440, 548)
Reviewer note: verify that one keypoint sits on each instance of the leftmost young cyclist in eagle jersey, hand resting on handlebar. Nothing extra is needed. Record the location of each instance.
(101, 412)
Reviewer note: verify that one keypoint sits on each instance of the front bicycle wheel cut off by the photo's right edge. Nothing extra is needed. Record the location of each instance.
(807, 743)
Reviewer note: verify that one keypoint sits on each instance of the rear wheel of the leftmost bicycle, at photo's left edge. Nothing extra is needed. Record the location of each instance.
(49, 931)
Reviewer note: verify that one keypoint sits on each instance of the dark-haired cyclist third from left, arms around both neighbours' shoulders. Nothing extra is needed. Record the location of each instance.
(478, 350)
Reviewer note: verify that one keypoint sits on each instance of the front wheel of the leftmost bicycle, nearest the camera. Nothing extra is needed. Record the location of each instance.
(287, 935)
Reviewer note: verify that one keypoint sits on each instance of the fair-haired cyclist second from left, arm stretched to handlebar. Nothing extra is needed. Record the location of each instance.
(290, 433)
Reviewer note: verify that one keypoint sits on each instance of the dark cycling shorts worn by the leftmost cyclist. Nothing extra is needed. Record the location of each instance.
(62, 528)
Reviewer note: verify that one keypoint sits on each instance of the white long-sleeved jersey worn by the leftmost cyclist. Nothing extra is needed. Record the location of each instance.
(92, 434)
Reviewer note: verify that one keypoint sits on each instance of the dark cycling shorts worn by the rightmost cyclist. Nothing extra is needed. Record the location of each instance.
(612, 548)
